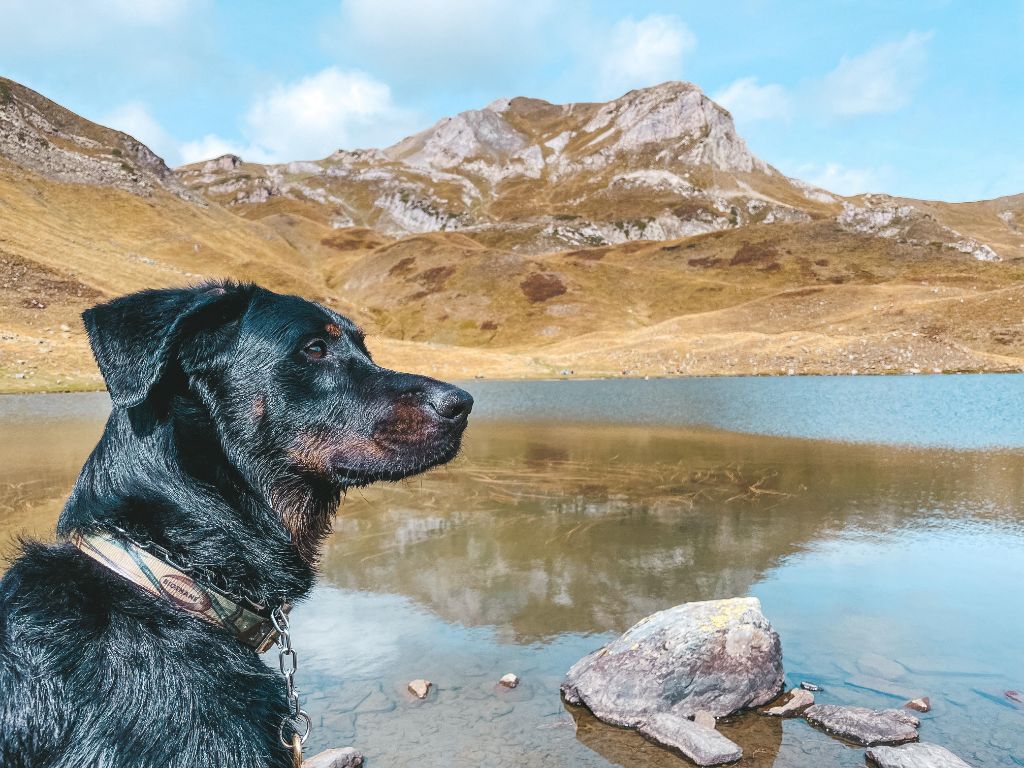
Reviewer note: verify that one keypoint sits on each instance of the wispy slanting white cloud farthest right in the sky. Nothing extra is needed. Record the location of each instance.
(881, 80)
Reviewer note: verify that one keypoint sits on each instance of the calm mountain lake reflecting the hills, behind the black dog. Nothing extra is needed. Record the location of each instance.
(880, 522)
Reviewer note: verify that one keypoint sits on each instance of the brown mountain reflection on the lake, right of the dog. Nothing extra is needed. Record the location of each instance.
(550, 530)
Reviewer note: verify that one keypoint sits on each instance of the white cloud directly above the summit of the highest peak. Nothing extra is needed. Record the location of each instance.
(639, 54)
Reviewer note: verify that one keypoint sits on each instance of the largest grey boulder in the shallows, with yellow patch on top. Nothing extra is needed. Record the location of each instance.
(721, 657)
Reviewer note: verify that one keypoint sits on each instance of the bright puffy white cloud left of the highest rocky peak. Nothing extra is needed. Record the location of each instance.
(315, 116)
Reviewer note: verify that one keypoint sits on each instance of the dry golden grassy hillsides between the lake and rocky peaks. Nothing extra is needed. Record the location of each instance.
(764, 300)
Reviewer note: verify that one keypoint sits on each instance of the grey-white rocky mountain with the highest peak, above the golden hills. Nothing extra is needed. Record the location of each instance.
(527, 176)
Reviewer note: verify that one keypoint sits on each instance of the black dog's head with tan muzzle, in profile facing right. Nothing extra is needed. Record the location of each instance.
(296, 400)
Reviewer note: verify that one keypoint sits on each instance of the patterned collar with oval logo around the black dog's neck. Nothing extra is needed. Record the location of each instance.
(253, 628)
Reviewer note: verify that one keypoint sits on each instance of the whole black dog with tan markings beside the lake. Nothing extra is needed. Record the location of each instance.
(240, 418)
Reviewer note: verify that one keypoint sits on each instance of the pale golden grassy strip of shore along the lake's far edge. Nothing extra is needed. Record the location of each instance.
(64, 364)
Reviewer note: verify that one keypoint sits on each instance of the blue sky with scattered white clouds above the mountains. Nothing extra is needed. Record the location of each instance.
(919, 99)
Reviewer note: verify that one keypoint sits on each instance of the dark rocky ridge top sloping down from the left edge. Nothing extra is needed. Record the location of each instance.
(42, 137)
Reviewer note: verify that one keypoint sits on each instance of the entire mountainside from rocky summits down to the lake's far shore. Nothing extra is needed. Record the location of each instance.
(637, 237)
